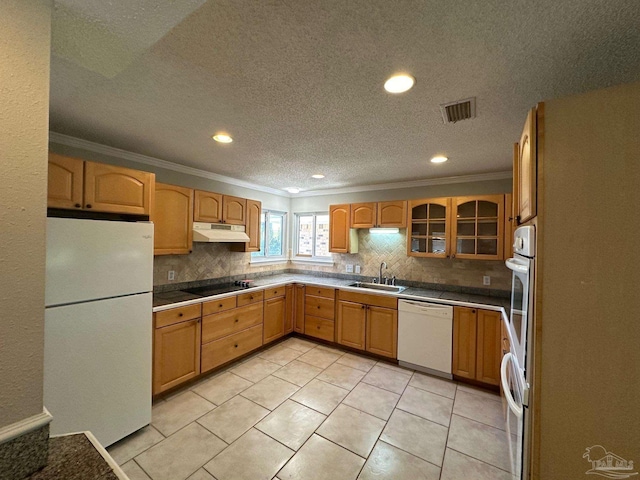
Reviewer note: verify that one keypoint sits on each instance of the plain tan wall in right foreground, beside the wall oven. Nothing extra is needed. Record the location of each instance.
(589, 307)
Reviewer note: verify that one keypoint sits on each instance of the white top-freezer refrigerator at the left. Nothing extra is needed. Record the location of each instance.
(98, 326)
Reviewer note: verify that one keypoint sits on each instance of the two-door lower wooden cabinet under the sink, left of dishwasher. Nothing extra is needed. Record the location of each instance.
(366, 326)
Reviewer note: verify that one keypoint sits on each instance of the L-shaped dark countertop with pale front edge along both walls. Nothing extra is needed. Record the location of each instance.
(167, 299)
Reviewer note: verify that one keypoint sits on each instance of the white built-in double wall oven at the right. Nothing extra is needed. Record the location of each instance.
(516, 364)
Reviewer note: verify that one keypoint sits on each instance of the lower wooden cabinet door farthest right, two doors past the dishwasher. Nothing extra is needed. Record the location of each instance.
(489, 347)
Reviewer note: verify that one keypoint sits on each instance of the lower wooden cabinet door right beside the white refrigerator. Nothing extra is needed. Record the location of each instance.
(176, 356)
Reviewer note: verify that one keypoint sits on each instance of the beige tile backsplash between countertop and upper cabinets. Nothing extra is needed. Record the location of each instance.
(215, 260)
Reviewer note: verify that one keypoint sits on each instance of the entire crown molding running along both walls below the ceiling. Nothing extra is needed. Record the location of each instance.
(156, 162)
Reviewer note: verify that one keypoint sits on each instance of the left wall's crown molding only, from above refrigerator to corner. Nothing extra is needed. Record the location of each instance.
(157, 162)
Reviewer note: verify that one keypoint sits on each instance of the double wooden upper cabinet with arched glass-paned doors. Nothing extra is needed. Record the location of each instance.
(458, 227)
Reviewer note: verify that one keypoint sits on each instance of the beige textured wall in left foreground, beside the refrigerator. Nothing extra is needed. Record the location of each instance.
(24, 116)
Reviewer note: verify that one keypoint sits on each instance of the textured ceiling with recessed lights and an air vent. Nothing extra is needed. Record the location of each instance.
(298, 83)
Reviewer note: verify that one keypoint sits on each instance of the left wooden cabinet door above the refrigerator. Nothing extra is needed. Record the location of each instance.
(65, 180)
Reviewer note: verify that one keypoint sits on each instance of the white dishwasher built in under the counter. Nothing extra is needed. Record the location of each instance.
(425, 336)
